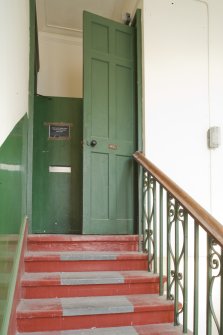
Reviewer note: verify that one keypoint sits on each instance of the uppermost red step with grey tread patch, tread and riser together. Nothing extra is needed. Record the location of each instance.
(84, 261)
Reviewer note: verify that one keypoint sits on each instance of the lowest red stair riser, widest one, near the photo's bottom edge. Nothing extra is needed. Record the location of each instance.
(90, 321)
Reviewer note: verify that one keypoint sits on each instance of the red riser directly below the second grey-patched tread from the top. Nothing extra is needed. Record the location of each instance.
(59, 291)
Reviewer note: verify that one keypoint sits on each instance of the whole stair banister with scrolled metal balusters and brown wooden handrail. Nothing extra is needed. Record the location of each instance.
(179, 235)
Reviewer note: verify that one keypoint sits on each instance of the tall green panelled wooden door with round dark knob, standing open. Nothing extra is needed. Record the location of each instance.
(109, 126)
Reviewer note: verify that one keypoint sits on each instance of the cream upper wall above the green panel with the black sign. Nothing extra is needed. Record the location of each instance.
(61, 66)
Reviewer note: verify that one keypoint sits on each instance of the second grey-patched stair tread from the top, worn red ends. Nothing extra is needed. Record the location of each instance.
(85, 278)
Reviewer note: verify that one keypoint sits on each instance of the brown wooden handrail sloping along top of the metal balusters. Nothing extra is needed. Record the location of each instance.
(200, 215)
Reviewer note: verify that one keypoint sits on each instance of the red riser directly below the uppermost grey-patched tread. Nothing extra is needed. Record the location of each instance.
(78, 266)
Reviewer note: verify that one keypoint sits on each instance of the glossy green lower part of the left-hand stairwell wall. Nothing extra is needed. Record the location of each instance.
(13, 171)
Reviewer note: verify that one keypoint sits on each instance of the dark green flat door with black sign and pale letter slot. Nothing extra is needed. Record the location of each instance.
(57, 166)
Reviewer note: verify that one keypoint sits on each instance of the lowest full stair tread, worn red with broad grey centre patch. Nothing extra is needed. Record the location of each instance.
(92, 305)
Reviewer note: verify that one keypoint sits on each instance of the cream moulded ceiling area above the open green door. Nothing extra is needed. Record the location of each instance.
(65, 16)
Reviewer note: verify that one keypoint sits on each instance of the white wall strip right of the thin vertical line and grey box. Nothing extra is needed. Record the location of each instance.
(216, 102)
